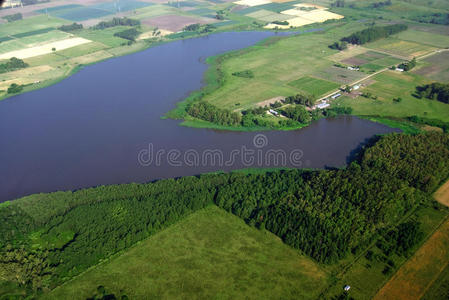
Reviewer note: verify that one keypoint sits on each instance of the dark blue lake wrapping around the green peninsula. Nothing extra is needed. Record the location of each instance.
(103, 126)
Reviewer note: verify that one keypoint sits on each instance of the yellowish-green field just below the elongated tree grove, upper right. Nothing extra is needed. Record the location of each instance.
(402, 48)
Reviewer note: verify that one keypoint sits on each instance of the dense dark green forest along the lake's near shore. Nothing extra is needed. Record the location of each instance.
(48, 238)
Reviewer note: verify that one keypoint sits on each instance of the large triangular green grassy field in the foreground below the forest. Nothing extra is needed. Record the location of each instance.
(209, 255)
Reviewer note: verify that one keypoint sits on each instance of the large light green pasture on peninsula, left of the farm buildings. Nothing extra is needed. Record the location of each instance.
(277, 64)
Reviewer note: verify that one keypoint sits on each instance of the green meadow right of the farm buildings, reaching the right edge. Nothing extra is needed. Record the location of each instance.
(389, 85)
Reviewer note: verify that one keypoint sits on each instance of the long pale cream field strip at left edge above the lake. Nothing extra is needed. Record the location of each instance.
(45, 49)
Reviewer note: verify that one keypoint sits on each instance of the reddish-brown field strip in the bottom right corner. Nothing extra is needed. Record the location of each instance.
(418, 273)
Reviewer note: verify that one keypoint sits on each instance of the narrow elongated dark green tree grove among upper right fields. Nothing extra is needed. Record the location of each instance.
(374, 33)
